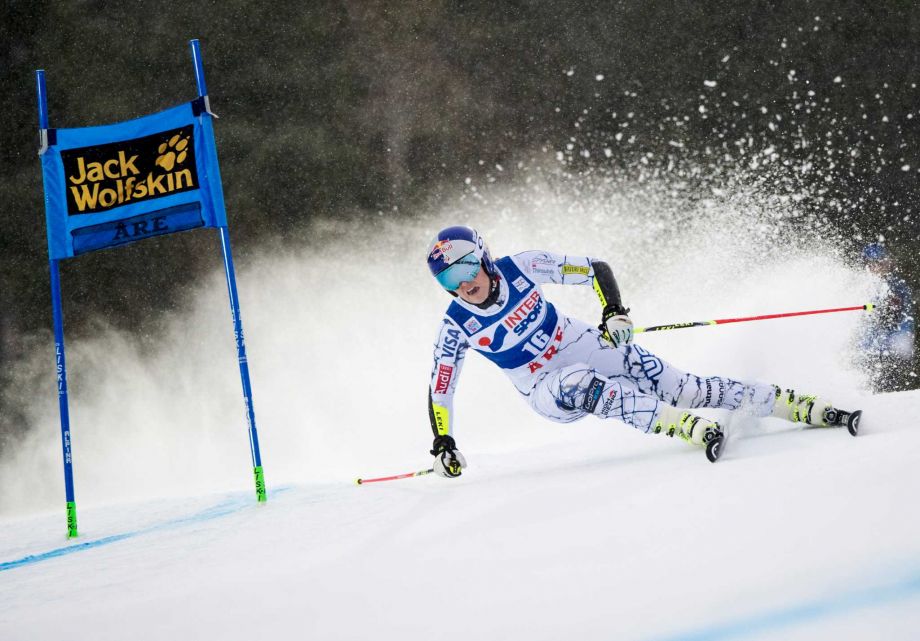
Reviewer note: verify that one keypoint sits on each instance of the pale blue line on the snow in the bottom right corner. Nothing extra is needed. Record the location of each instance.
(838, 605)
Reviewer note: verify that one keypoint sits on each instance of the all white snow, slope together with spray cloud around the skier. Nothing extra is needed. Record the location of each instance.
(588, 531)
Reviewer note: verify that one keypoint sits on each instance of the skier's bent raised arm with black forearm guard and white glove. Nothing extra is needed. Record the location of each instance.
(566, 269)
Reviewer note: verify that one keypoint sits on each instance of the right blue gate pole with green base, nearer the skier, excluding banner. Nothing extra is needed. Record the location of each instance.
(234, 304)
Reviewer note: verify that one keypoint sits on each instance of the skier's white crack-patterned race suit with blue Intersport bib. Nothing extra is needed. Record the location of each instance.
(562, 366)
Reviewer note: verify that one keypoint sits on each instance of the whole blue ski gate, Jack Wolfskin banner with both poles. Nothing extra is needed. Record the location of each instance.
(110, 185)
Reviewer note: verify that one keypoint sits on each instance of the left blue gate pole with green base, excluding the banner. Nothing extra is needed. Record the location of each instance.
(58, 313)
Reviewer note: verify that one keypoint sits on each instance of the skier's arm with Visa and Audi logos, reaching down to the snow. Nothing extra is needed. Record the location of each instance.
(449, 352)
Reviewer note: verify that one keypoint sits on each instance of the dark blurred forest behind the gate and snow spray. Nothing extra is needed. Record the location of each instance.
(344, 108)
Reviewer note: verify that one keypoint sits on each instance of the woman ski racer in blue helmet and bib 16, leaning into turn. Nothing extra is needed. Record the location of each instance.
(566, 369)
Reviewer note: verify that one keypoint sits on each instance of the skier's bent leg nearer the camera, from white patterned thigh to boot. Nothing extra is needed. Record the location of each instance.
(572, 392)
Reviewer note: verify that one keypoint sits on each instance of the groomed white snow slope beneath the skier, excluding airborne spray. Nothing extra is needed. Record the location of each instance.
(606, 534)
